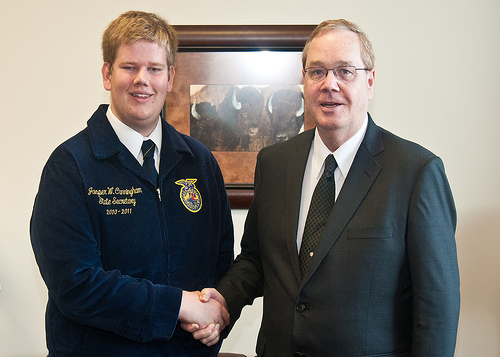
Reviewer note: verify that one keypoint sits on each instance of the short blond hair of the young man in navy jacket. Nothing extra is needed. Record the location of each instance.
(133, 26)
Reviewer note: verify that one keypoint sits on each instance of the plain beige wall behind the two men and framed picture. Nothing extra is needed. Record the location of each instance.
(437, 83)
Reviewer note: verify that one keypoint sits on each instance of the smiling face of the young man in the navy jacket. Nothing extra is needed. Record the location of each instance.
(138, 81)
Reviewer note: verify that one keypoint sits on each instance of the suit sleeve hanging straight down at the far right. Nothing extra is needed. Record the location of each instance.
(433, 263)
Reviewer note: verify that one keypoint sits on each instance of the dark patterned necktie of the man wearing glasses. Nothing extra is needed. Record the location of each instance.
(319, 210)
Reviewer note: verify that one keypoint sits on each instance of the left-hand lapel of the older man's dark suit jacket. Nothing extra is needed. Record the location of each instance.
(296, 164)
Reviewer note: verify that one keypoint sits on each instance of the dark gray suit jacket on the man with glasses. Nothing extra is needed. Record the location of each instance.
(384, 279)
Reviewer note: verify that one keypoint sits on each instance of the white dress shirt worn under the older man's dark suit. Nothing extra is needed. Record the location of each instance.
(315, 166)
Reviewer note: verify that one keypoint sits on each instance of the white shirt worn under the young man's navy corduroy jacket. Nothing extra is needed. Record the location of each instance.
(133, 140)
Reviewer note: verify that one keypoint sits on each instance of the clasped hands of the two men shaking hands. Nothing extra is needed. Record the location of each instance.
(204, 315)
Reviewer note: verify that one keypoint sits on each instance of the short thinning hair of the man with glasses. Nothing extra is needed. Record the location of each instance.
(367, 54)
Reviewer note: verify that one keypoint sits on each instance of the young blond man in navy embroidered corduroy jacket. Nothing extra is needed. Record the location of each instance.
(125, 239)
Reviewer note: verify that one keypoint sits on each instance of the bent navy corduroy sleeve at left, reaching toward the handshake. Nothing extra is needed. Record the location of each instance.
(68, 255)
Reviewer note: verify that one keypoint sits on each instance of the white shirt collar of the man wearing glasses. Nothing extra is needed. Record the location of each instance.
(344, 155)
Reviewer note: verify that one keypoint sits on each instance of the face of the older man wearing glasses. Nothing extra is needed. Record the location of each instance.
(337, 108)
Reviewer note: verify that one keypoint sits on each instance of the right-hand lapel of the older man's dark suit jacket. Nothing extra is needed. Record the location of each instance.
(362, 175)
